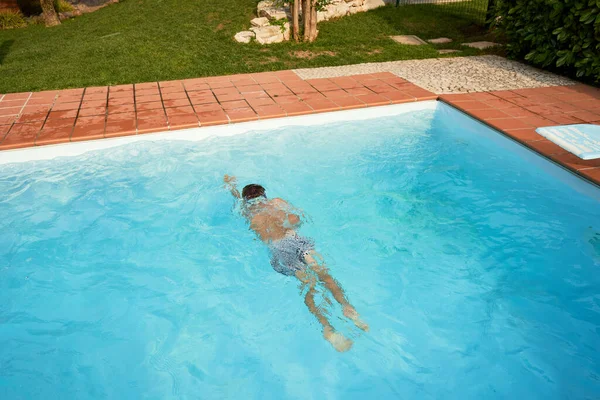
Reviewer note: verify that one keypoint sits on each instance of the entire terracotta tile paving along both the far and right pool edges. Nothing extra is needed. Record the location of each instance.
(60, 116)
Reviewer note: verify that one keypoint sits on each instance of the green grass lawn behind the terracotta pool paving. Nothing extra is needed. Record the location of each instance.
(149, 40)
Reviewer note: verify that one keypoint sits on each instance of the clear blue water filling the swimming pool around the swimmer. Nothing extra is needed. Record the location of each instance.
(126, 273)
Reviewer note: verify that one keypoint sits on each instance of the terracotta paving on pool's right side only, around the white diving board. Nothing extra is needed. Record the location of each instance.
(517, 113)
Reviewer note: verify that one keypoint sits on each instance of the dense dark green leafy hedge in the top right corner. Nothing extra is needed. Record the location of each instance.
(563, 34)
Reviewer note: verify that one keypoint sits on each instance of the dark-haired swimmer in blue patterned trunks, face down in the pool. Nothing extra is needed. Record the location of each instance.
(275, 222)
